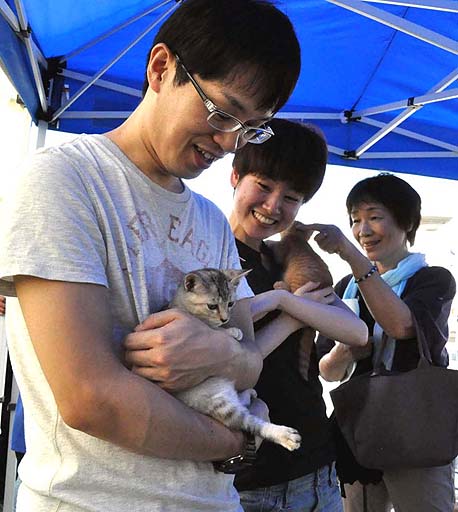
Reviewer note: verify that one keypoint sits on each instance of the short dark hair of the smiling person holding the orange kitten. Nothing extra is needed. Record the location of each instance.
(296, 154)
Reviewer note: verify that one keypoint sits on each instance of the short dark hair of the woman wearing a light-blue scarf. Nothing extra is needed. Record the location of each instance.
(395, 194)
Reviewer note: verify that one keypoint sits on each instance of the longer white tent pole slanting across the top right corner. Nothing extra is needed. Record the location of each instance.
(398, 23)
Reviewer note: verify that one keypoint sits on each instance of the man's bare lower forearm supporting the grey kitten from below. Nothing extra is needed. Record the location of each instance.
(139, 416)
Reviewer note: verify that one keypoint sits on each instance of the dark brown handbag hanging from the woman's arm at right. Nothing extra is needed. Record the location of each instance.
(400, 420)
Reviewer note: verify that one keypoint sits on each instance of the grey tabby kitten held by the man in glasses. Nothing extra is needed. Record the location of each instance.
(209, 295)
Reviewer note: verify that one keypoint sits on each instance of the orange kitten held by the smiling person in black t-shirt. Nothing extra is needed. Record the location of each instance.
(301, 264)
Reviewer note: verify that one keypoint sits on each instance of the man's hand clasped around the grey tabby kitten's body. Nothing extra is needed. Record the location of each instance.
(177, 350)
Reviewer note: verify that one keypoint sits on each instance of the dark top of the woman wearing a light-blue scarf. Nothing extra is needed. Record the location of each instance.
(428, 294)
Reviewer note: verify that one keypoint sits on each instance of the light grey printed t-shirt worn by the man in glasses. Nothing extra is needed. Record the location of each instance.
(83, 212)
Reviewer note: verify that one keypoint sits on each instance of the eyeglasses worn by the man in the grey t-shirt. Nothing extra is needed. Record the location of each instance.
(224, 122)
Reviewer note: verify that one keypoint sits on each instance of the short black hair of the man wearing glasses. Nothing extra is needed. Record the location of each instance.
(227, 39)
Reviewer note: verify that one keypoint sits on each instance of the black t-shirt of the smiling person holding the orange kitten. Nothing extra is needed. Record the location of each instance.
(292, 401)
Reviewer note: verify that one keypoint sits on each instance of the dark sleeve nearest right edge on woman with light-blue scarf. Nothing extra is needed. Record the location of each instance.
(429, 296)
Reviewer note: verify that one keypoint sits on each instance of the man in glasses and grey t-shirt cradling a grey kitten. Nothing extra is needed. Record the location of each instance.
(101, 232)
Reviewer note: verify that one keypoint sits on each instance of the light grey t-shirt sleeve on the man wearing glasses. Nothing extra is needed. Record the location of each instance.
(50, 228)
